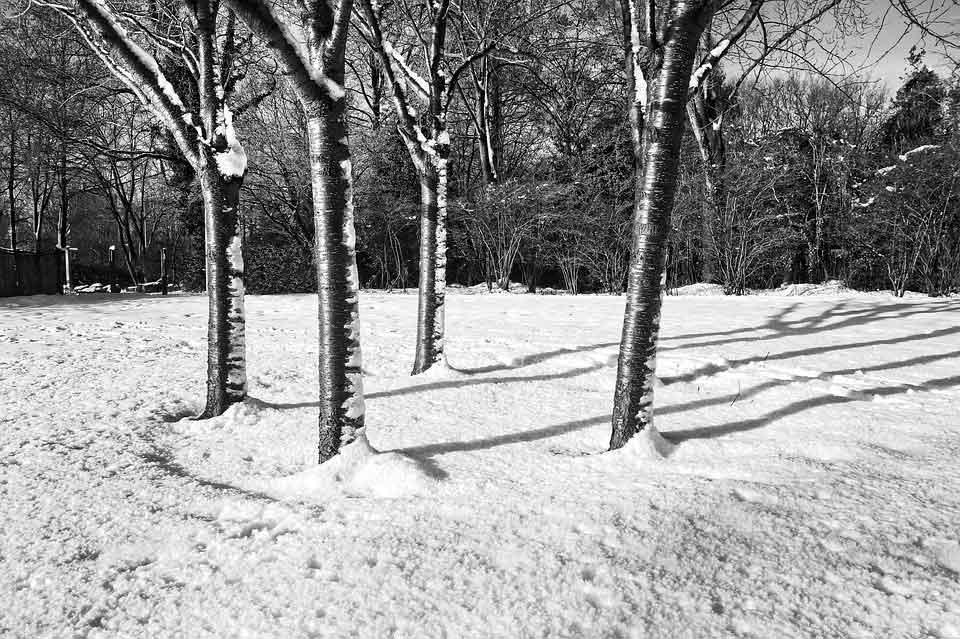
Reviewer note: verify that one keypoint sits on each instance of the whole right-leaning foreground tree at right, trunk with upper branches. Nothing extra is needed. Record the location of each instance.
(659, 55)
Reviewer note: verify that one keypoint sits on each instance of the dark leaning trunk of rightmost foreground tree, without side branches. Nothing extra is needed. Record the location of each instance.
(656, 184)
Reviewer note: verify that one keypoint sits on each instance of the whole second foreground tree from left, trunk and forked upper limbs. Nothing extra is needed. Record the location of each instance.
(317, 74)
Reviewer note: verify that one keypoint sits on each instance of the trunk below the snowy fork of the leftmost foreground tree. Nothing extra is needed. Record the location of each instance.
(226, 343)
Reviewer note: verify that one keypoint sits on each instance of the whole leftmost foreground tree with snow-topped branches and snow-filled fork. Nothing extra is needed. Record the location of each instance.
(208, 141)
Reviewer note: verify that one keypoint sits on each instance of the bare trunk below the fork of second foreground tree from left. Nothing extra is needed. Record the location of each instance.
(341, 377)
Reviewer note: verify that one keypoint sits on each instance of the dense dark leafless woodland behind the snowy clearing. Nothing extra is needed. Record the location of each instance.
(818, 175)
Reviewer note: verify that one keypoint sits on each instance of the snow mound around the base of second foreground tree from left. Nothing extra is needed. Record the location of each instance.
(359, 470)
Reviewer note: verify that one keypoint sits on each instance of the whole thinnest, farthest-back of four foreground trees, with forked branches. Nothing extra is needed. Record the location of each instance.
(429, 147)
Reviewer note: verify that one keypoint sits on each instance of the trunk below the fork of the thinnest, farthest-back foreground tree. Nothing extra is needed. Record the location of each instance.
(433, 265)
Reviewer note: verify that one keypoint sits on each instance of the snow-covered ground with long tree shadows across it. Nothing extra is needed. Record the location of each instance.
(814, 491)
